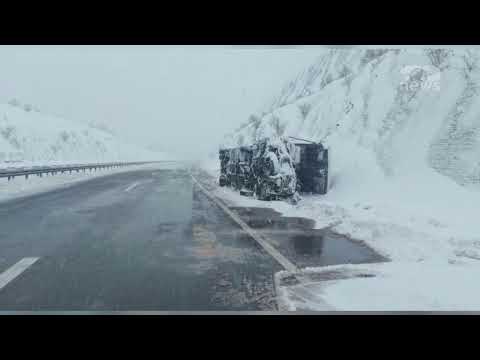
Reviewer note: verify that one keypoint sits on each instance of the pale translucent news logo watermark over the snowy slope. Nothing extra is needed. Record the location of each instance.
(420, 77)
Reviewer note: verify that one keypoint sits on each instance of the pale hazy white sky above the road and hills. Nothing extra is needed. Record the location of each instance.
(181, 99)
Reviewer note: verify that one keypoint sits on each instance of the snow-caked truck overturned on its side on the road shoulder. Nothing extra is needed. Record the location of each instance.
(275, 169)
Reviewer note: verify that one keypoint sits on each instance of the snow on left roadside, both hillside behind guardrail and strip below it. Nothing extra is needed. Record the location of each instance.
(30, 138)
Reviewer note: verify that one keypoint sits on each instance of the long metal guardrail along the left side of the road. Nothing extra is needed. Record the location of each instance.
(41, 170)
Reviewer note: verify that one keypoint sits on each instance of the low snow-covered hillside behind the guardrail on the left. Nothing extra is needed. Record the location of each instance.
(32, 137)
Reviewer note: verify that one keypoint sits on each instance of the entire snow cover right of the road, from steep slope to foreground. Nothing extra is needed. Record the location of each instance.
(403, 129)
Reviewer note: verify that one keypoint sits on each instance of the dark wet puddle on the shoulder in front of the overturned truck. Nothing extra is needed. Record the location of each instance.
(297, 239)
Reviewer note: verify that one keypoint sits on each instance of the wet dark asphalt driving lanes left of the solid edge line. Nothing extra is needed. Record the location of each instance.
(135, 241)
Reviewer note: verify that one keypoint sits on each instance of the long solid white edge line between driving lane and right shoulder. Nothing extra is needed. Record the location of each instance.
(287, 264)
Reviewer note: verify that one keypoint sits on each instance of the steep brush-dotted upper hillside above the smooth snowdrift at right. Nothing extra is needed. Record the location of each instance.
(407, 108)
